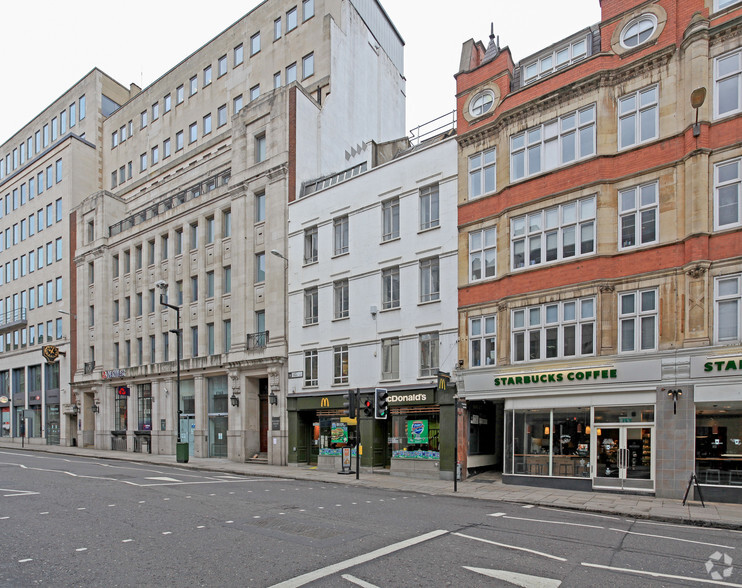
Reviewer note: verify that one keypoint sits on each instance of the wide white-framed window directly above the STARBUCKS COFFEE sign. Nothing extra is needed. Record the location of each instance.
(554, 330)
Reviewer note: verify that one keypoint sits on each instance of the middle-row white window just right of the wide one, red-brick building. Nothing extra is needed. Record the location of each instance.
(638, 212)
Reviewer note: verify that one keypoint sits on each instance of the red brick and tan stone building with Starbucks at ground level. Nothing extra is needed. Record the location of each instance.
(600, 252)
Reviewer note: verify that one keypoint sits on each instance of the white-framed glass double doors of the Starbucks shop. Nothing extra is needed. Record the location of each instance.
(624, 458)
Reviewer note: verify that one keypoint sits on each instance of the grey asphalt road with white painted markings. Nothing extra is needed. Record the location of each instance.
(68, 521)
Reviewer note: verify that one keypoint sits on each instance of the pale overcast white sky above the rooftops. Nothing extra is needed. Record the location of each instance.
(137, 41)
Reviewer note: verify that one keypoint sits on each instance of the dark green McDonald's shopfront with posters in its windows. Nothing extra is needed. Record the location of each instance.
(416, 440)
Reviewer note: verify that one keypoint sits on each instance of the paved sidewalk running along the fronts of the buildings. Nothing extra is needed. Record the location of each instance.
(487, 486)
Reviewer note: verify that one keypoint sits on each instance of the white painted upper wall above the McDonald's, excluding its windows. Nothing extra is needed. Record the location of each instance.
(361, 199)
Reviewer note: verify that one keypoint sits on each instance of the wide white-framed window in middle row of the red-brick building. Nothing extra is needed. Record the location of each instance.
(553, 234)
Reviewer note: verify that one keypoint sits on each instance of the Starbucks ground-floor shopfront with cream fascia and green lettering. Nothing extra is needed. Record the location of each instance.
(642, 424)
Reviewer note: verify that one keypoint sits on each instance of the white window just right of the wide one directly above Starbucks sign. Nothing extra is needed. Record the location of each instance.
(637, 317)
